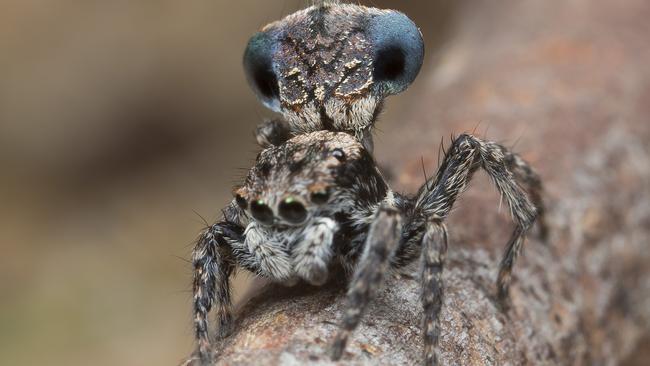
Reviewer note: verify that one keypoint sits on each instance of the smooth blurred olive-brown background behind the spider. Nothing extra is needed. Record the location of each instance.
(120, 123)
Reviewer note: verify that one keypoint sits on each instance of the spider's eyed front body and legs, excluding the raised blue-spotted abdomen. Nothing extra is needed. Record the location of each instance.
(318, 201)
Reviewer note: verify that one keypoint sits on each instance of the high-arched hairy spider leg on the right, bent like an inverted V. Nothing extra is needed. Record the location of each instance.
(466, 154)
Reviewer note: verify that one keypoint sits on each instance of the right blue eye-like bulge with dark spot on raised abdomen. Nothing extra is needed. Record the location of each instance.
(399, 51)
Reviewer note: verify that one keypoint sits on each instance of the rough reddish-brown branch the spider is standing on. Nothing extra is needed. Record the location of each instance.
(571, 82)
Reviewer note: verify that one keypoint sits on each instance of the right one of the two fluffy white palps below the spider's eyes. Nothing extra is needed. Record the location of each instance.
(313, 251)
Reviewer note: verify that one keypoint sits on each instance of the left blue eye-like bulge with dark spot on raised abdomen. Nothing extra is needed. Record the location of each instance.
(258, 65)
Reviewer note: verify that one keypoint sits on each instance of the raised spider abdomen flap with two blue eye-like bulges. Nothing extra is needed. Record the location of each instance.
(330, 66)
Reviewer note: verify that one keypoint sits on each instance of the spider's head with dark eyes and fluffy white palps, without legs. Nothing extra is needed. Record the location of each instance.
(296, 198)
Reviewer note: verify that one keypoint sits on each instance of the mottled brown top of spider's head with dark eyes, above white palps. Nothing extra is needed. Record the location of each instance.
(309, 175)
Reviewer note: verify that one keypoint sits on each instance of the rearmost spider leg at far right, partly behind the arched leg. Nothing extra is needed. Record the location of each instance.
(530, 180)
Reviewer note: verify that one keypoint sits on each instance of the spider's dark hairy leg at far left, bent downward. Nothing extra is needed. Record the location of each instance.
(212, 261)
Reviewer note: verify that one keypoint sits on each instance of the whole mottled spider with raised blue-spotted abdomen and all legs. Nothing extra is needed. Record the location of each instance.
(315, 201)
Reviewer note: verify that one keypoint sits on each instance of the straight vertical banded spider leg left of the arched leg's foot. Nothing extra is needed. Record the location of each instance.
(434, 250)
